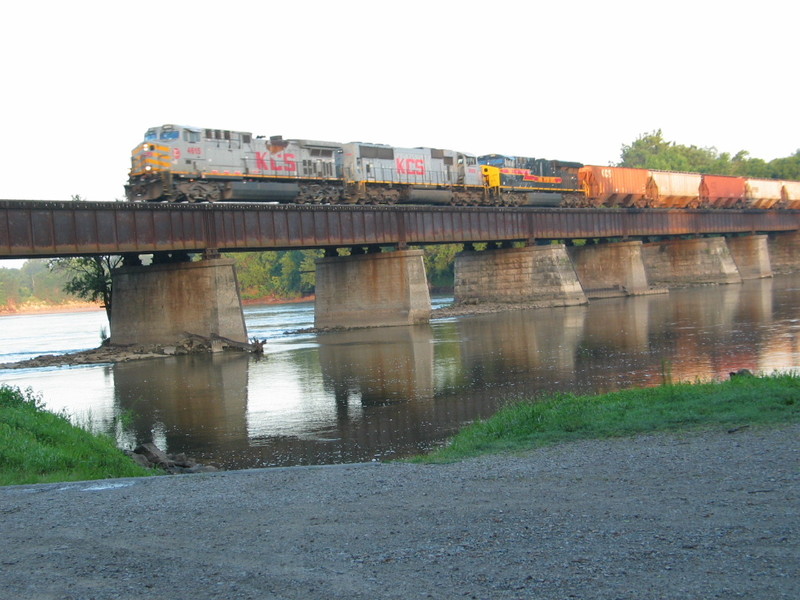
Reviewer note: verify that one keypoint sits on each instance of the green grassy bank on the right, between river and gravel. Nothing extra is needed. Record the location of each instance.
(741, 401)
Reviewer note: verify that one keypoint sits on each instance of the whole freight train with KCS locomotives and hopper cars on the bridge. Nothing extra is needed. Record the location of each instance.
(188, 164)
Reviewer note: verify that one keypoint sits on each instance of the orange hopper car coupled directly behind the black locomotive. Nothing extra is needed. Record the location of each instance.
(614, 186)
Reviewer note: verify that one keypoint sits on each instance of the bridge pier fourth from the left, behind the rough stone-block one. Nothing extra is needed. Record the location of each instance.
(607, 270)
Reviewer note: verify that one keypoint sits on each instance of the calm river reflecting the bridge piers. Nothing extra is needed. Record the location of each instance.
(385, 393)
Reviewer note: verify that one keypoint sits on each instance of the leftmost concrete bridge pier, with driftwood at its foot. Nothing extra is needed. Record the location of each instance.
(159, 304)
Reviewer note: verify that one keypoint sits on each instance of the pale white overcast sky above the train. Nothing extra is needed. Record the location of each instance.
(575, 80)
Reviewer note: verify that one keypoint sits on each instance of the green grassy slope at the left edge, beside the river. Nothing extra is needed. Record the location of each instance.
(37, 446)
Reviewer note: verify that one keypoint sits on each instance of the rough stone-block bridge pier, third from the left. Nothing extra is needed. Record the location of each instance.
(540, 275)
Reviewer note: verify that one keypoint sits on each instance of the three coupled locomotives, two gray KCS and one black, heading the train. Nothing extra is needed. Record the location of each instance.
(186, 164)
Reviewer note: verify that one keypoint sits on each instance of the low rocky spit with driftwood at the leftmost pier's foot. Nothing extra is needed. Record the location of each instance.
(108, 353)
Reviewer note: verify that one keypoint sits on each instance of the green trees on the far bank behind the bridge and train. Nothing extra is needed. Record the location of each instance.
(290, 274)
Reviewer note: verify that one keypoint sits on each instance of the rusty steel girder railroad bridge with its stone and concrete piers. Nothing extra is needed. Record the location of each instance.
(529, 256)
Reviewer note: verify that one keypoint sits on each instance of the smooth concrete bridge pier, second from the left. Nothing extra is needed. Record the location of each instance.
(372, 290)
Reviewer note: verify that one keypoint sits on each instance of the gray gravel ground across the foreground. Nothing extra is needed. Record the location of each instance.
(695, 515)
